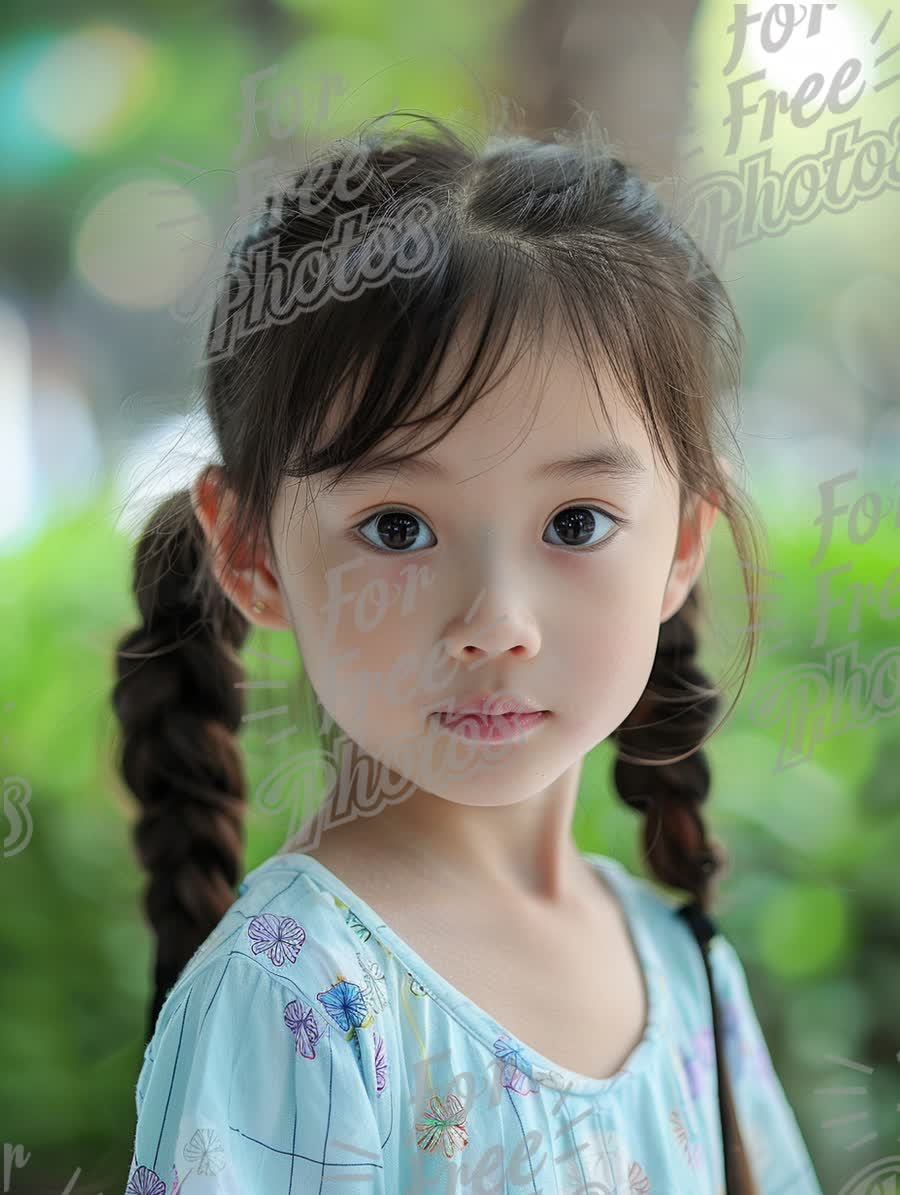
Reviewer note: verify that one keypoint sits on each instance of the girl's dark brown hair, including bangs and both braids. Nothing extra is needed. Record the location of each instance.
(516, 229)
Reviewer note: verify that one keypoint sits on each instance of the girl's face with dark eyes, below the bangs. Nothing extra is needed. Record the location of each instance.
(495, 574)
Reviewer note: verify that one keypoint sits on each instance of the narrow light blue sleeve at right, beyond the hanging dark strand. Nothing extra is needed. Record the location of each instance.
(777, 1151)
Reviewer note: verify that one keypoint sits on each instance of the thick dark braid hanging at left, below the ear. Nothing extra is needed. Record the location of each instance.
(180, 709)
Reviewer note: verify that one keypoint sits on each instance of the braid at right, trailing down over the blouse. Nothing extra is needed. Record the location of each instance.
(670, 795)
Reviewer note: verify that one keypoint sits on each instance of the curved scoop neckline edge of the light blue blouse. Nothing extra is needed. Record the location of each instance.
(476, 1021)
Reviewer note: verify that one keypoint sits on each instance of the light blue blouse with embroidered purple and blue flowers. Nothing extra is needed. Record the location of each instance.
(308, 1049)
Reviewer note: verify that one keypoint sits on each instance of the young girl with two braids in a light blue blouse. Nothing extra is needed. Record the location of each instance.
(432, 989)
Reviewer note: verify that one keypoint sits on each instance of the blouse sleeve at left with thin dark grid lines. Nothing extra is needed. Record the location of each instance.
(248, 1088)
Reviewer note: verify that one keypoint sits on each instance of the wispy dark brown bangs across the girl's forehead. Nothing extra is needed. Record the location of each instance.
(428, 350)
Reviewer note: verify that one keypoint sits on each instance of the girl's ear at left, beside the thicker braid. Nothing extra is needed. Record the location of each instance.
(243, 579)
